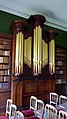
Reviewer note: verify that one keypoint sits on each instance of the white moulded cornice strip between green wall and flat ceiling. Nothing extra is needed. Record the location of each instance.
(49, 21)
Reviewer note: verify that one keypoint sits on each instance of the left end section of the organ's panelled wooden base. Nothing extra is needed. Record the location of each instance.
(16, 92)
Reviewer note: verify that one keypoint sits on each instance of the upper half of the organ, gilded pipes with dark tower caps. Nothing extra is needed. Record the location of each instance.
(32, 49)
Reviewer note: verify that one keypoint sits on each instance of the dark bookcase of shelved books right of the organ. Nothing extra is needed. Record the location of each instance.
(60, 65)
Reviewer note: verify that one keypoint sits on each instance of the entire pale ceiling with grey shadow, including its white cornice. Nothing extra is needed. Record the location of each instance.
(55, 11)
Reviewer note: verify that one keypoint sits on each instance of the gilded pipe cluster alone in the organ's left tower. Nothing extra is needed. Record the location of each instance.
(19, 53)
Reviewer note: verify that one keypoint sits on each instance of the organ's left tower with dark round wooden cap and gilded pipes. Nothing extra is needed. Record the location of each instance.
(18, 27)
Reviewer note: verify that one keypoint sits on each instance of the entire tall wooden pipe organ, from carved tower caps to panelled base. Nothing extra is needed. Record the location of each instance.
(32, 60)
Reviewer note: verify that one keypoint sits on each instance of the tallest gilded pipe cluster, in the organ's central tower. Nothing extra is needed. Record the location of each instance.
(37, 59)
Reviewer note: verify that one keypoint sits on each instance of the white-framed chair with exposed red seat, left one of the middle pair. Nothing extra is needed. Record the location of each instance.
(33, 107)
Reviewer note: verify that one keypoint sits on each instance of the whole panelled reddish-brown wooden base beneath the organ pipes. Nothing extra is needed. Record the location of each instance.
(22, 90)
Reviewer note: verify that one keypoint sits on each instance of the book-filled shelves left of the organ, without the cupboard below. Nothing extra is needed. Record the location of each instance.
(5, 51)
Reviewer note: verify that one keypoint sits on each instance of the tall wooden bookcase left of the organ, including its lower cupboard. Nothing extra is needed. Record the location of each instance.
(5, 69)
